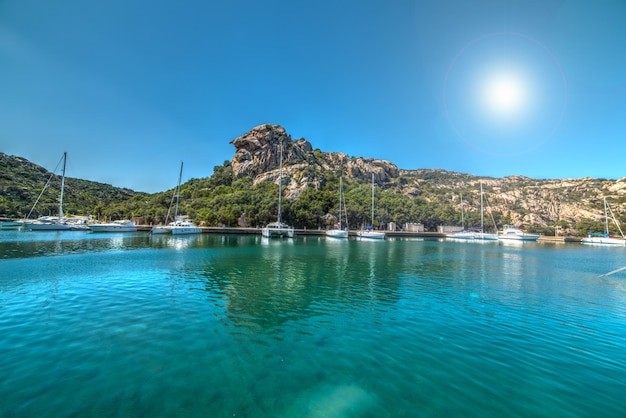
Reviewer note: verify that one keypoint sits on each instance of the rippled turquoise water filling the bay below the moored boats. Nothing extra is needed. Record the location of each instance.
(222, 326)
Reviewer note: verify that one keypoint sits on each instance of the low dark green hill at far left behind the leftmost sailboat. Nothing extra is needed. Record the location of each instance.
(21, 182)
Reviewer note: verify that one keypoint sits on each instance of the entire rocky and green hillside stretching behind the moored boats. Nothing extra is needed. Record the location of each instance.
(244, 192)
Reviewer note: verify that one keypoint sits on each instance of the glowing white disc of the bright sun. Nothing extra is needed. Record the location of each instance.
(505, 95)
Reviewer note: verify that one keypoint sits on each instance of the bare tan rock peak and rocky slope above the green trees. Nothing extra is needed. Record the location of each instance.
(523, 200)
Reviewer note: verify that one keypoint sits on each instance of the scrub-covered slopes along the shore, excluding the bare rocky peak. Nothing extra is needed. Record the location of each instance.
(430, 197)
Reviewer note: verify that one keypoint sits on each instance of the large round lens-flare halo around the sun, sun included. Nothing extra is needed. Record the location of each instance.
(504, 94)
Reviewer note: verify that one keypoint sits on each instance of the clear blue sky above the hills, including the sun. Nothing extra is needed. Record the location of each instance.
(488, 87)
